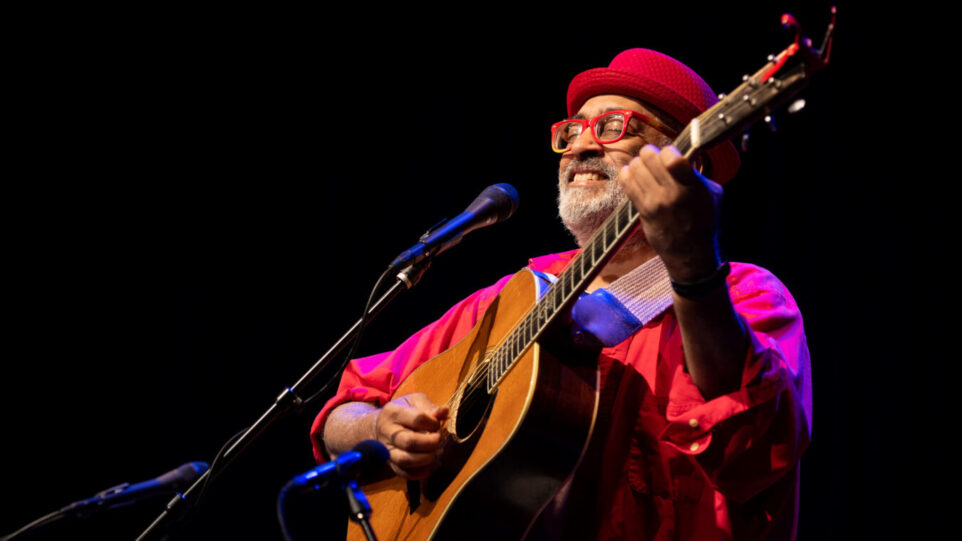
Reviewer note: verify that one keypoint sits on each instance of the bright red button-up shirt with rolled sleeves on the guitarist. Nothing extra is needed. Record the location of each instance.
(663, 463)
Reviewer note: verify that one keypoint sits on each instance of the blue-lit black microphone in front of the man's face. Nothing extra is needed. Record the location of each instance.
(495, 204)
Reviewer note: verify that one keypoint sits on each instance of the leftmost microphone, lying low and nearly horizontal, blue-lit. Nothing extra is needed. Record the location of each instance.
(124, 494)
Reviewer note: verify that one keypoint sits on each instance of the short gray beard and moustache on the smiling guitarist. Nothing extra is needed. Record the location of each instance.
(583, 209)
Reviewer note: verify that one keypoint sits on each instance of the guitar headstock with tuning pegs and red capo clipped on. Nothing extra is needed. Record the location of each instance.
(781, 78)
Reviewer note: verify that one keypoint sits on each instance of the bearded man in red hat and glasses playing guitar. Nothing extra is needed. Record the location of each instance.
(704, 411)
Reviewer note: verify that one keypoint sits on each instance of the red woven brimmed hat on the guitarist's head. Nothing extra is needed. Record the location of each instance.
(661, 81)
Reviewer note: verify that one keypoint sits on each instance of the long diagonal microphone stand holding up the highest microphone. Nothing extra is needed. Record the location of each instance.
(285, 403)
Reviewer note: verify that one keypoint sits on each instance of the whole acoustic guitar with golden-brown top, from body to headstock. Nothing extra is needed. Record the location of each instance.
(520, 415)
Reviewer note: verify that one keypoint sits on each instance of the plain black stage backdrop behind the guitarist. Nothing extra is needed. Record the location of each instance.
(205, 200)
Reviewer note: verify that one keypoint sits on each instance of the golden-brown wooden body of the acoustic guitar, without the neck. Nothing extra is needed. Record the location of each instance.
(504, 455)
